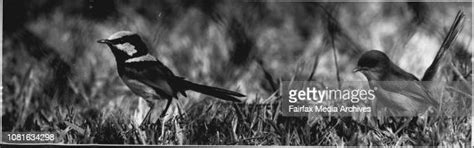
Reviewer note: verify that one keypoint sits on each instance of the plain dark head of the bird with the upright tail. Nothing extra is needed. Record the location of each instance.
(373, 64)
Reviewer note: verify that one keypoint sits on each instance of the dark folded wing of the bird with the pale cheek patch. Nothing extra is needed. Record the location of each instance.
(155, 75)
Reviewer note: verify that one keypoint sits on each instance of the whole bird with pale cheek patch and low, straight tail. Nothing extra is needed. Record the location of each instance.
(148, 78)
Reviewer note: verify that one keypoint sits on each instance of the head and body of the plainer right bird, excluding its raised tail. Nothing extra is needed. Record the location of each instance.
(399, 91)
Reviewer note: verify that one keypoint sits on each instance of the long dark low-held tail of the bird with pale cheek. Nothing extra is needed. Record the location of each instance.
(214, 91)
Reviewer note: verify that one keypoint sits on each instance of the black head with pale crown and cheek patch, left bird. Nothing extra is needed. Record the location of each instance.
(125, 45)
